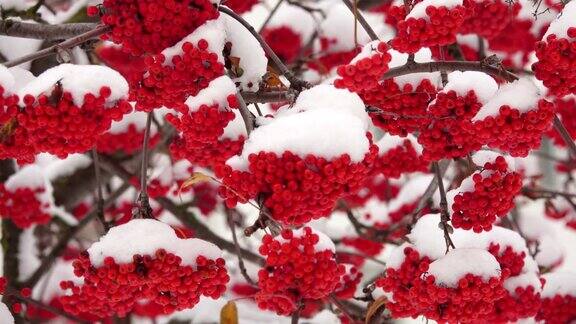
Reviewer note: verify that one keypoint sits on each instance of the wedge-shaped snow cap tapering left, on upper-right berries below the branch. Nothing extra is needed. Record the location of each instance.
(508, 95)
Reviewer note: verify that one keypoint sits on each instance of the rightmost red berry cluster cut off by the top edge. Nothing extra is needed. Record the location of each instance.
(490, 17)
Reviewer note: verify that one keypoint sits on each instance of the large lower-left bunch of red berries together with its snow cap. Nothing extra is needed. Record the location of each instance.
(114, 286)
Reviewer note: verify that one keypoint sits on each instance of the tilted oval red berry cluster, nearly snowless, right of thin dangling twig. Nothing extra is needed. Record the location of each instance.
(490, 195)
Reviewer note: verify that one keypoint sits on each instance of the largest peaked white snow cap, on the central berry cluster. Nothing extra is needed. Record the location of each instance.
(321, 126)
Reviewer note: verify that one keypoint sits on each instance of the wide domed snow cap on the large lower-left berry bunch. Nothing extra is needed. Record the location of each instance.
(145, 237)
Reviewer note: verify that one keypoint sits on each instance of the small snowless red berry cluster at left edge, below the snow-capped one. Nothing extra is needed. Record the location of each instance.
(22, 206)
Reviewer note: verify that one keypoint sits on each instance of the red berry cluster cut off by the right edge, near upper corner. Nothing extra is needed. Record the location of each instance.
(556, 62)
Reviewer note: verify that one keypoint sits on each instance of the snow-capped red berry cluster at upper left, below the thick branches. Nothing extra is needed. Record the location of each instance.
(64, 110)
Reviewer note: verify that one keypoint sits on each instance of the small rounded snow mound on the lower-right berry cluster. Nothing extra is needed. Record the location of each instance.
(457, 263)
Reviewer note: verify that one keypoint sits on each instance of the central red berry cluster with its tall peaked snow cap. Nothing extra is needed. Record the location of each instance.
(297, 179)
